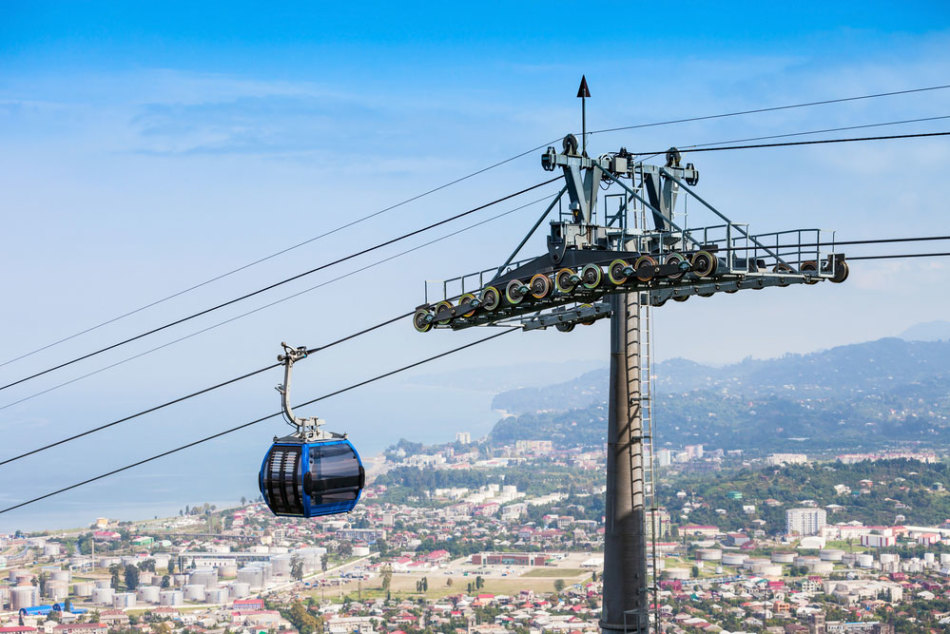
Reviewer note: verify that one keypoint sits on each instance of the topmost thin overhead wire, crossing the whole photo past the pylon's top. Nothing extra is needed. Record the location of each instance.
(454, 182)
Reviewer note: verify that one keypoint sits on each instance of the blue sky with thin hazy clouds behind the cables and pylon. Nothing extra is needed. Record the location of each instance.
(144, 149)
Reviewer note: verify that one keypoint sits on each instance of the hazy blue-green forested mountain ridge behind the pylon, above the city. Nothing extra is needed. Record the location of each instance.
(857, 397)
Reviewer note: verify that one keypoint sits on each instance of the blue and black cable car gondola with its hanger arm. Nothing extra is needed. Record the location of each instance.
(310, 472)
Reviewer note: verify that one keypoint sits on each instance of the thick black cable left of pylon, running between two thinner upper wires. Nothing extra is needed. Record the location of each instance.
(275, 285)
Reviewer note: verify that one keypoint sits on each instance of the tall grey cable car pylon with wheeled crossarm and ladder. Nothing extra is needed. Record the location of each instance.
(643, 246)
